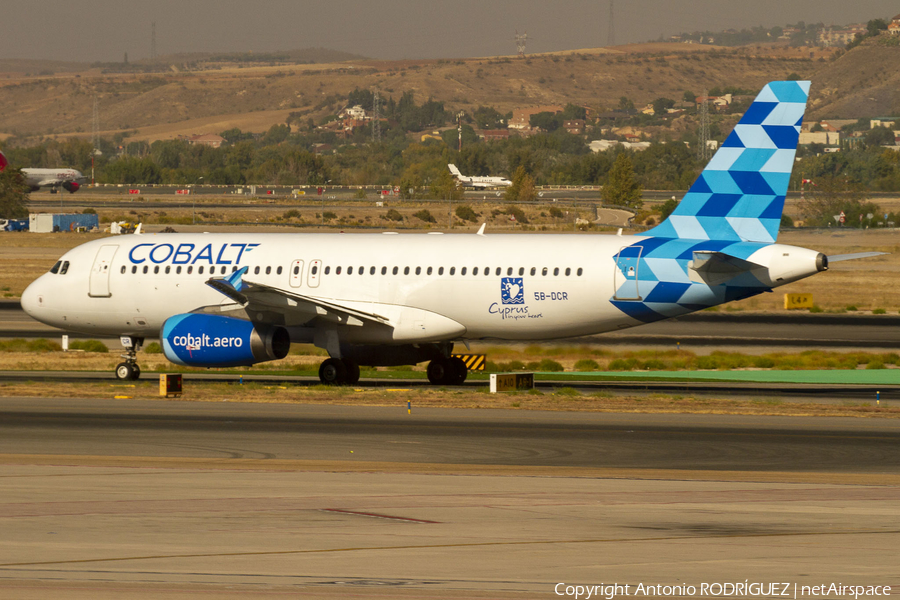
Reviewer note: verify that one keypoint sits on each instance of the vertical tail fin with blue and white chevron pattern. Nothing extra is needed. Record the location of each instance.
(739, 196)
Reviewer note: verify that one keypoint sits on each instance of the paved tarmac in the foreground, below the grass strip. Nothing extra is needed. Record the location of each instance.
(111, 499)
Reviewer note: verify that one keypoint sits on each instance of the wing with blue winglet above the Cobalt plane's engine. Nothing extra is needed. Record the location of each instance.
(290, 308)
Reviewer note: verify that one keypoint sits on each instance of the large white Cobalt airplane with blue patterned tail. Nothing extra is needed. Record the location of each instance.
(380, 299)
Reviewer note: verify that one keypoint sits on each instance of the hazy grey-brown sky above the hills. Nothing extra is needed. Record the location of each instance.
(92, 30)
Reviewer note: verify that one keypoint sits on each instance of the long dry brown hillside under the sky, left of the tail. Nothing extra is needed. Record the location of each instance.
(162, 106)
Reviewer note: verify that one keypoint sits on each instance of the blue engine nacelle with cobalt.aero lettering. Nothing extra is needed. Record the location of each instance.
(201, 340)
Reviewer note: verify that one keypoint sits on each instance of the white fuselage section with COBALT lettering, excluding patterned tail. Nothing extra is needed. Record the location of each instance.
(556, 285)
